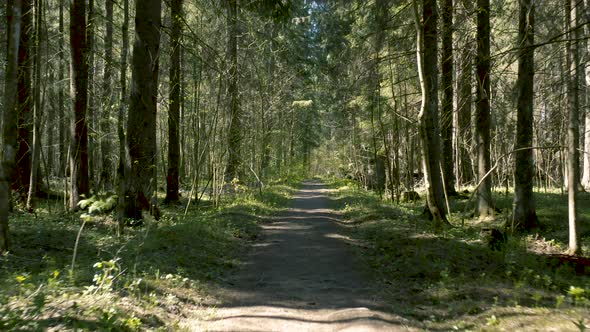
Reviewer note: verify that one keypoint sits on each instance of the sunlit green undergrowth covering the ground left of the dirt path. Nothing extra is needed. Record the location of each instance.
(146, 279)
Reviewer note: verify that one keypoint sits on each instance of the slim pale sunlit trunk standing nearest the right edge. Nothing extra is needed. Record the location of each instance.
(572, 63)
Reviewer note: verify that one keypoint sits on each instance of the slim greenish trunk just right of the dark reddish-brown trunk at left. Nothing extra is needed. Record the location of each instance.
(107, 83)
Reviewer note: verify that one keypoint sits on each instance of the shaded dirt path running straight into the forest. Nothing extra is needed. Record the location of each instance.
(300, 276)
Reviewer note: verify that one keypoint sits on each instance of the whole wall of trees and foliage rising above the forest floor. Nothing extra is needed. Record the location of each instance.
(128, 106)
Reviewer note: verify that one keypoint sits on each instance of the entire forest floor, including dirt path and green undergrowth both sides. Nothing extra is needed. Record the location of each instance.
(319, 257)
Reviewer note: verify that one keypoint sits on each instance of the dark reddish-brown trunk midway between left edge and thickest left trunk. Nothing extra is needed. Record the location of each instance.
(79, 71)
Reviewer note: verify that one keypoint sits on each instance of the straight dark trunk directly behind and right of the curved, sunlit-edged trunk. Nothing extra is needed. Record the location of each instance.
(447, 102)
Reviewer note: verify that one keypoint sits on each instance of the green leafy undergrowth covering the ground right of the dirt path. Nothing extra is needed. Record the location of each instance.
(454, 281)
